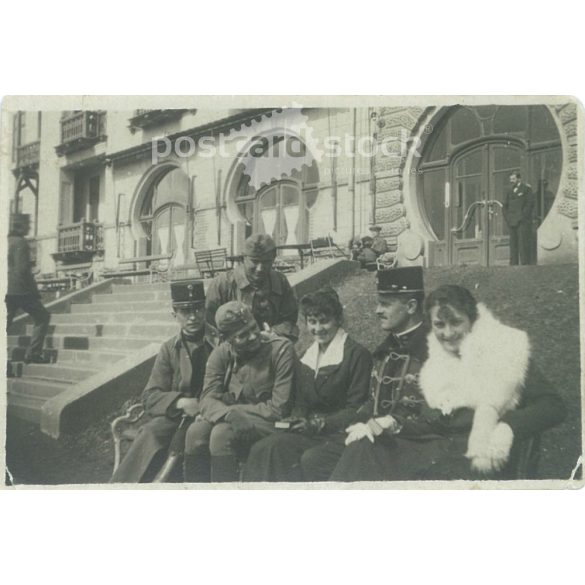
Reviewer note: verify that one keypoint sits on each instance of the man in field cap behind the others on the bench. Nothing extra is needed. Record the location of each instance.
(255, 283)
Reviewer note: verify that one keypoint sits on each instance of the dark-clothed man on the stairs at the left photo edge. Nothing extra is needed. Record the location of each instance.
(22, 290)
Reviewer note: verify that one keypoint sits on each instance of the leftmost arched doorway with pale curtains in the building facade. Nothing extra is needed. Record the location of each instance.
(163, 217)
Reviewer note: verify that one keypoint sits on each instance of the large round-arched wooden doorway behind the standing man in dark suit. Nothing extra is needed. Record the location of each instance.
(464, 172)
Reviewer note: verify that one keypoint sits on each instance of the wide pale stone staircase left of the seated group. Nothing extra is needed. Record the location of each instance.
(85, 342)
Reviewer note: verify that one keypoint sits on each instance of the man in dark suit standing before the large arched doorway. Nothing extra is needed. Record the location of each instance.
(518, 210)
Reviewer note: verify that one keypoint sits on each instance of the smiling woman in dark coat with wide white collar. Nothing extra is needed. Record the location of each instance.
(334, 381)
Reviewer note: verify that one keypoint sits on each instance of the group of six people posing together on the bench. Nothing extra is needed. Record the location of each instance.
(451, 393)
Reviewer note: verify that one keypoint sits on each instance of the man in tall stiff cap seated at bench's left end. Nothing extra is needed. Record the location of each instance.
(171, 396)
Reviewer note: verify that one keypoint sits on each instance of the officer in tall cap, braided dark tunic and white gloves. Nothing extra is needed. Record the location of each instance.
(395, 401)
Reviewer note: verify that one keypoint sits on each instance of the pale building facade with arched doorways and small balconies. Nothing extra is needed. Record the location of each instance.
(107, 186)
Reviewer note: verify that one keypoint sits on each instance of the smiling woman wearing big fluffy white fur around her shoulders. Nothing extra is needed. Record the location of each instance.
(483, 396)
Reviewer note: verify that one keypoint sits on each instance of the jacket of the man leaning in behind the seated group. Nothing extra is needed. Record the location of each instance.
(275, 303)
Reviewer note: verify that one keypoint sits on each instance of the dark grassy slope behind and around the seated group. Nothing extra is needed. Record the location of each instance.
(541, 300)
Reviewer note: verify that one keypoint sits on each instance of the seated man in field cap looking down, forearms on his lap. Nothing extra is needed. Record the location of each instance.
(249, 385)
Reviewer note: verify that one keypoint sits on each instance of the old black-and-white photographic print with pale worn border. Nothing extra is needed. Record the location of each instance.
(326, 292)
